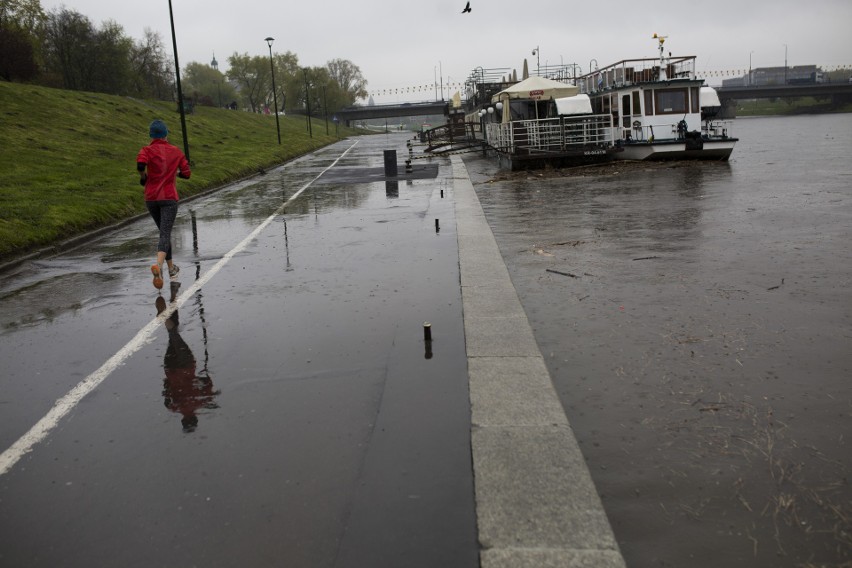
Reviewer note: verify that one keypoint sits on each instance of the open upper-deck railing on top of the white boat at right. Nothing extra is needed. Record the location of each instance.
(633, 71)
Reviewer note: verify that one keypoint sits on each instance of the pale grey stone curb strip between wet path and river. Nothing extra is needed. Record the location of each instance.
(536, 504)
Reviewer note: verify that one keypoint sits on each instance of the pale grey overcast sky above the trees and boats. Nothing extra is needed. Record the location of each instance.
(408, 46)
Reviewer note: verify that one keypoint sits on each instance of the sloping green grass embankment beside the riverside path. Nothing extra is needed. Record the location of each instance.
(68, 158)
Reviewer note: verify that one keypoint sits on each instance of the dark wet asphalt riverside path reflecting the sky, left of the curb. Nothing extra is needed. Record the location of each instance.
(289, 412)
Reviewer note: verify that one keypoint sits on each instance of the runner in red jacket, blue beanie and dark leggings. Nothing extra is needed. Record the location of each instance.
(158, 163)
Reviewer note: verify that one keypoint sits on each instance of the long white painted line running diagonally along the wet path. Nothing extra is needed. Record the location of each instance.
(67, 403)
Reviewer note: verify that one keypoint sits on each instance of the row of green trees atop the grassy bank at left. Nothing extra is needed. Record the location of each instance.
(64, 49)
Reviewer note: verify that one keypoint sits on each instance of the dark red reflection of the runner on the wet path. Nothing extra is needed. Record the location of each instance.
(183, 391)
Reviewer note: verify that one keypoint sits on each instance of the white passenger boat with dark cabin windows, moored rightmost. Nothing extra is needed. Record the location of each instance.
(660, 109)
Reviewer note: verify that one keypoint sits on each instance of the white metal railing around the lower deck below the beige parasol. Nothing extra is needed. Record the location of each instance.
(562, 134)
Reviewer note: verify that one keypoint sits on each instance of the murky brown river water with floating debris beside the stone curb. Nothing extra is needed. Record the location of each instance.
(696, 319)
